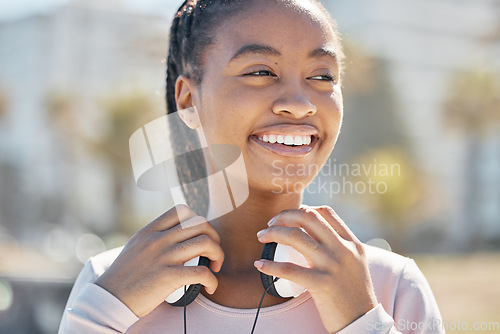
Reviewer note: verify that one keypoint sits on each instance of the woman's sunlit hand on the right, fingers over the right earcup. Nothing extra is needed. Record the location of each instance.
(337, 277)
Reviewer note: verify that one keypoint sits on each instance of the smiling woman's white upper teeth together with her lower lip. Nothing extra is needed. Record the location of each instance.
(286, 145)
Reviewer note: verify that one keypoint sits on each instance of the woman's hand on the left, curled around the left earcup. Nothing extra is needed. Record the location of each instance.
(151, 265)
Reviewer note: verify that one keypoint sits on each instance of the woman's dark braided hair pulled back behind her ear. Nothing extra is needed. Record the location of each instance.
(192, 31)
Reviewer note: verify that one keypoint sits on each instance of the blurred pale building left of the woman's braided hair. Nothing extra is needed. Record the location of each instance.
(72, 57)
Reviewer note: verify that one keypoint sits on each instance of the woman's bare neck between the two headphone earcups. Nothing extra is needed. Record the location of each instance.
(237, 225)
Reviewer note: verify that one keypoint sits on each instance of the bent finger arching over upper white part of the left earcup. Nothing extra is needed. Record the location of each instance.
(201, 245)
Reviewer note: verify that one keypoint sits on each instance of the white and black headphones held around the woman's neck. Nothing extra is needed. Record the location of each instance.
(277, 287)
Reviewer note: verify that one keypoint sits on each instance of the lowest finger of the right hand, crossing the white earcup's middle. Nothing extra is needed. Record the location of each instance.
(297, 274)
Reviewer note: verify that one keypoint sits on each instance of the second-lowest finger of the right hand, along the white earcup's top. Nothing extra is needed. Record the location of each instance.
(314, 252)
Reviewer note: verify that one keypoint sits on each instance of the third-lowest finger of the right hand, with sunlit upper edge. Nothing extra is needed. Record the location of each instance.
(312, 222)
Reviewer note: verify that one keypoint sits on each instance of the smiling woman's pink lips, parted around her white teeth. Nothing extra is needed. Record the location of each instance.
(287, 129)
